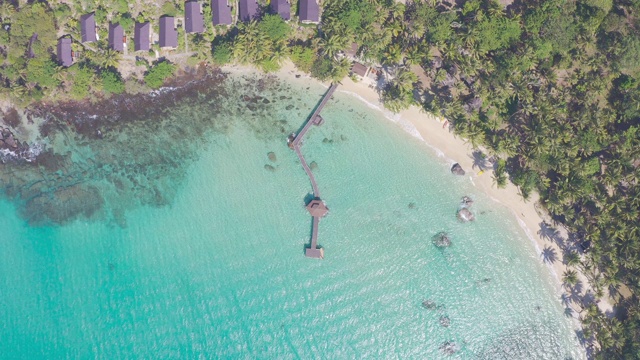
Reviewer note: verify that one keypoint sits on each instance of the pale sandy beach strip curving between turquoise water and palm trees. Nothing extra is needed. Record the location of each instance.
(432, 131)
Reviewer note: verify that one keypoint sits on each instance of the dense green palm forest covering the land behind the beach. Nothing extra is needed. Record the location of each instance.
(551, 88)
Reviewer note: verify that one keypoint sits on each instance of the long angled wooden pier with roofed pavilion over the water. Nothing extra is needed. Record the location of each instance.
(316, 207)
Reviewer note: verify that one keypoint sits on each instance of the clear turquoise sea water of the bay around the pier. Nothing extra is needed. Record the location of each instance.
(216, 269)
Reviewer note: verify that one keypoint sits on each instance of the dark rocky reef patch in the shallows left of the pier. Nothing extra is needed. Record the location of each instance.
(128, 151)
